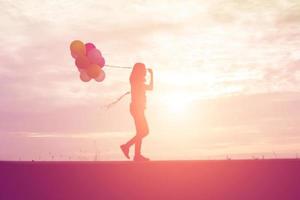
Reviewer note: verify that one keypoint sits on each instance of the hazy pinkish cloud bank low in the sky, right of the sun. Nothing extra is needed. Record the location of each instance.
(265, 110)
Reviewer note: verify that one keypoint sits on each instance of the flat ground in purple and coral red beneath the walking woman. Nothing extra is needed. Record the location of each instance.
(206, 180)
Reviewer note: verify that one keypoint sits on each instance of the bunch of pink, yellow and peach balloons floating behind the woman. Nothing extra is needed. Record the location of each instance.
(88, 60)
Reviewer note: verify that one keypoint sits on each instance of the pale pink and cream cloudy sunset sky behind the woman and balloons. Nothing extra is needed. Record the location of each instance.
(226, 78)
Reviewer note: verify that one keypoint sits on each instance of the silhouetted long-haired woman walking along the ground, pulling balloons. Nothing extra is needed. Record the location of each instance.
(137, 109)
